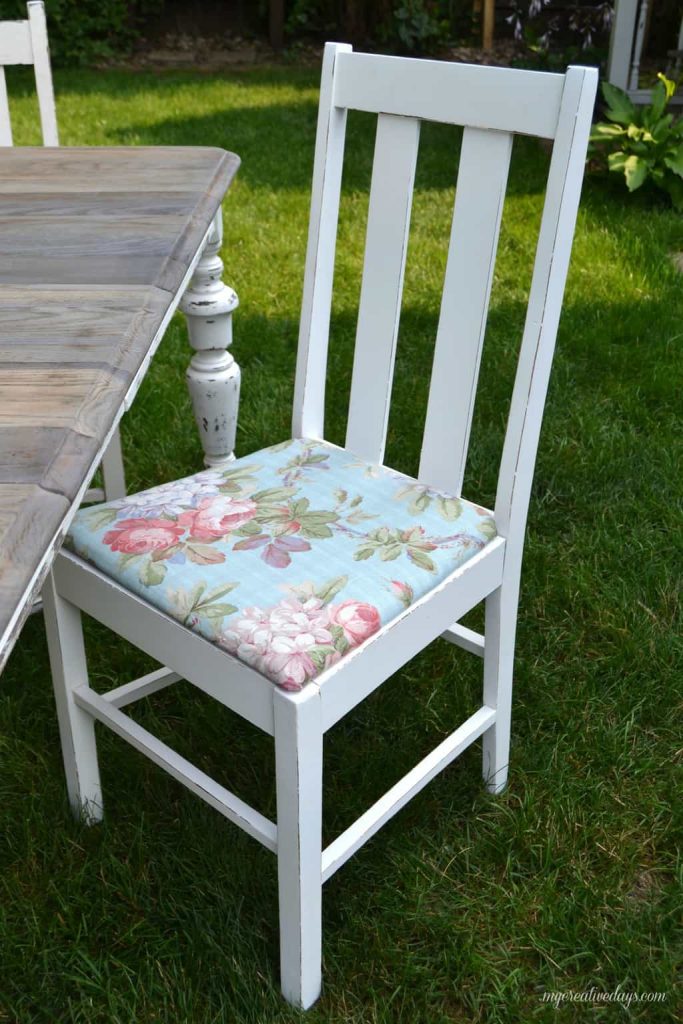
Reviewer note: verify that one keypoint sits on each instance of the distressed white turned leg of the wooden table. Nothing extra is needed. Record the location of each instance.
(214, 376)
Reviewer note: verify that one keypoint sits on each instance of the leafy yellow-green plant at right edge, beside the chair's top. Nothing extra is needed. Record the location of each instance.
(644, 144)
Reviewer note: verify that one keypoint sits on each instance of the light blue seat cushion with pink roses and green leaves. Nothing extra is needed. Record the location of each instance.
(289, 559)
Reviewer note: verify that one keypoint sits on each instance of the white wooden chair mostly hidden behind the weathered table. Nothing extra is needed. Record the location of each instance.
(26, 44)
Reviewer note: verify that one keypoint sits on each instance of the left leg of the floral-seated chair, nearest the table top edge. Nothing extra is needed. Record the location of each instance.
(77, 729)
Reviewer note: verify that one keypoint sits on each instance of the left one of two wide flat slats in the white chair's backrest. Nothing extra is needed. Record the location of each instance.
(381, 291)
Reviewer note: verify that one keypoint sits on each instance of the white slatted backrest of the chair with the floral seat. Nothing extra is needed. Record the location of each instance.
(492, 105)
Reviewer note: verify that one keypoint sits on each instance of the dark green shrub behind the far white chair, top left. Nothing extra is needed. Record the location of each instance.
(82, 32)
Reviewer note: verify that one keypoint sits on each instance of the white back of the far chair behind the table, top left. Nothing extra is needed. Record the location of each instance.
(26, 44)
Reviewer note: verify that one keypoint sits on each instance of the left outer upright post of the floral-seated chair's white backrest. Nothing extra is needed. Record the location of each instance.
(309, 416)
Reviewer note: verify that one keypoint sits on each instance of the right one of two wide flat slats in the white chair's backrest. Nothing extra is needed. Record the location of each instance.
(483, 179)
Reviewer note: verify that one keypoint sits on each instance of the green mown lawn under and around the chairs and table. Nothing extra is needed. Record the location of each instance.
(468, 908)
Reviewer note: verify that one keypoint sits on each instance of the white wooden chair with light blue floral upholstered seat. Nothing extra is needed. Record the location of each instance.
(292, 585)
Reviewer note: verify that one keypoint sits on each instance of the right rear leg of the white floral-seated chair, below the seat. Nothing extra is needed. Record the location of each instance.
(498, 665)
